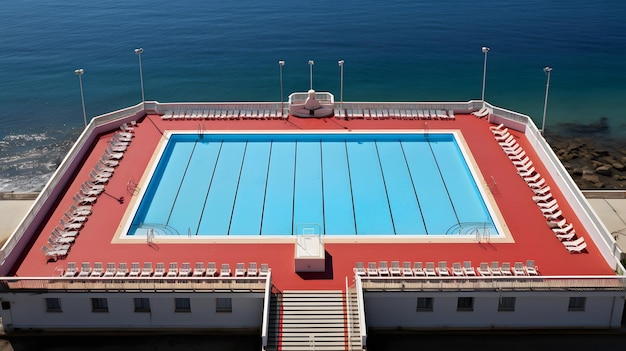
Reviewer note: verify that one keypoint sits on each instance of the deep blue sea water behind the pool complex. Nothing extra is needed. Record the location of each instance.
(203, 50)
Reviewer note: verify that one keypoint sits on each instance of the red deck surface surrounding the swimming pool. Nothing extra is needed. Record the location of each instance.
(532, 238)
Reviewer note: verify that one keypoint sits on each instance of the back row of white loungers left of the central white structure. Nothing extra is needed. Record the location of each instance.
(224, 114)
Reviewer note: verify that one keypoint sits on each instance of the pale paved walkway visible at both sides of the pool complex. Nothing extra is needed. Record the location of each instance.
(610, 206)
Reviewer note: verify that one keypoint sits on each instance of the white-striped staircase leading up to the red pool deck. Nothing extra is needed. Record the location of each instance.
(313, 320)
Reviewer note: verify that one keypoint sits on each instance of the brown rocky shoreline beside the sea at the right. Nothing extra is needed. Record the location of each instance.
(593, 163)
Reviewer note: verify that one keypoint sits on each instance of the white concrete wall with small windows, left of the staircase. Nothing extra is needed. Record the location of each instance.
(29, 311)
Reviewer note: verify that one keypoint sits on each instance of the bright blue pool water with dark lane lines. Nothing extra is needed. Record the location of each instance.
(330, 184)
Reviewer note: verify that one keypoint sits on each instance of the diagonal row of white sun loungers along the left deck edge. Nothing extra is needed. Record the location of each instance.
(65, 233)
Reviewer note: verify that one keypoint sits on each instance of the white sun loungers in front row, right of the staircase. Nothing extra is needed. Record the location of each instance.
(458, 269)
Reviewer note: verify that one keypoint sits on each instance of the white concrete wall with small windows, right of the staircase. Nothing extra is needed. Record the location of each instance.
(532, 310)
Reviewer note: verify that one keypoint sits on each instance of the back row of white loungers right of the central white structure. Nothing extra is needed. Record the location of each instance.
(394, 113)
